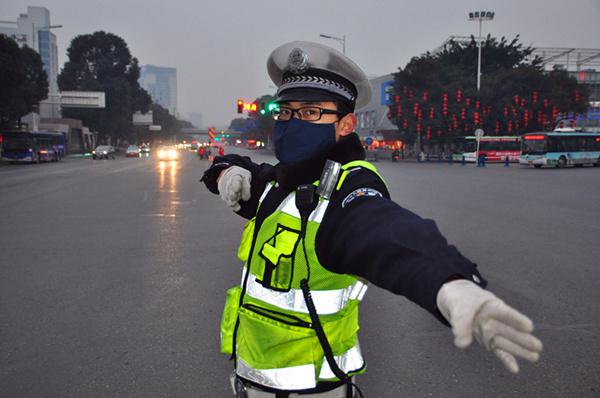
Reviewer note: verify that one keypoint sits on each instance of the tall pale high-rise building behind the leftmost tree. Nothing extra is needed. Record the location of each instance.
(33, 30)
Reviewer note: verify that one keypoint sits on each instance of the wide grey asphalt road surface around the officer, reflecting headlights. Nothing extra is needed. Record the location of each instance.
(113, 274)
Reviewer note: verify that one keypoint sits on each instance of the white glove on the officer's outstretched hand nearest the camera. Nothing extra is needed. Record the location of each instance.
(473, 311)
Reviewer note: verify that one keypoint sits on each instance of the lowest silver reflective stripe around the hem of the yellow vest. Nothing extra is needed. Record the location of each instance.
(303, 376)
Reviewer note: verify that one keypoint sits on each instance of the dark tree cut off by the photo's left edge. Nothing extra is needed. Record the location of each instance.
(23, 81)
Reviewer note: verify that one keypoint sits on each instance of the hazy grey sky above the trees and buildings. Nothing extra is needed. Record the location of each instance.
(220, 47)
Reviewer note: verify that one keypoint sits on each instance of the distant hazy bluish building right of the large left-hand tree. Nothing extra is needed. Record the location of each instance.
(161, 84)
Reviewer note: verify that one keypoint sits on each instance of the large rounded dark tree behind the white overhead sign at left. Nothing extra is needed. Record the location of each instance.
(102, 62)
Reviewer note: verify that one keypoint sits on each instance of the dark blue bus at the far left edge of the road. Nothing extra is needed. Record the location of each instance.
(33, 147)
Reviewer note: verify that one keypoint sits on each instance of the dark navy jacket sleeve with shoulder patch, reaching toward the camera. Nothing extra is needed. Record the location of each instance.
(364, 233)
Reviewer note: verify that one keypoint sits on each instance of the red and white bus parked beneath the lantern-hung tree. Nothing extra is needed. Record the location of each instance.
(495, 148)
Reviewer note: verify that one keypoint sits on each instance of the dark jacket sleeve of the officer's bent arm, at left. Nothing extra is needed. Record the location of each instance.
(261, 174)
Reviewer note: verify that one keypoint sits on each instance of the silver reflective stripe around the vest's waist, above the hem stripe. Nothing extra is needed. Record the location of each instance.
(326, 301)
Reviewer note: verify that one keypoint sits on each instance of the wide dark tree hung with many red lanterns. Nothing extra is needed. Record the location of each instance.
(435, 96)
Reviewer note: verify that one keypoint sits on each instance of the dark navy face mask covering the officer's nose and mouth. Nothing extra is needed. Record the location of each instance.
(297, 140)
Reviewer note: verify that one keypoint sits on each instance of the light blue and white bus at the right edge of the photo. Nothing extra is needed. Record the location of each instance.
(560, 149)
